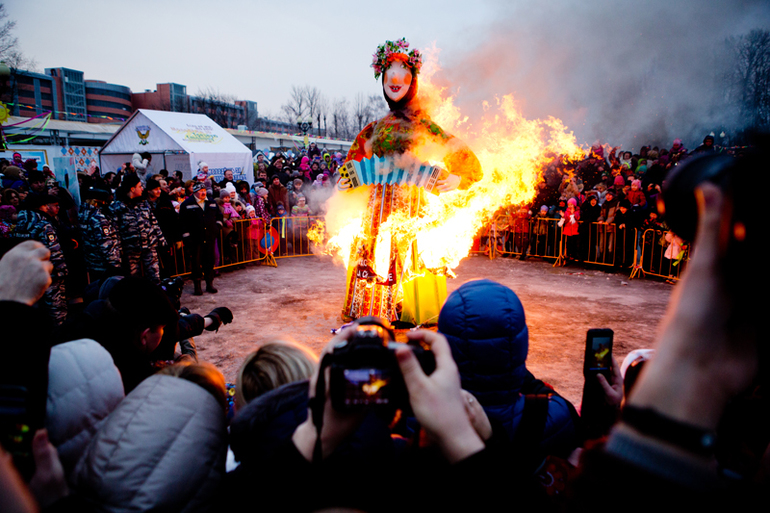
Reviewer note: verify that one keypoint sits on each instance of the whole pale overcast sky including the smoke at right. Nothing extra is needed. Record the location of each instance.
(608, 68)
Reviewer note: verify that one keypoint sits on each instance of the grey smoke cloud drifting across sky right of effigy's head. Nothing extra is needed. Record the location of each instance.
(618, 71)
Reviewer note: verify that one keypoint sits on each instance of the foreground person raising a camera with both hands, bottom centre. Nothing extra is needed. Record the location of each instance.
(346, 471)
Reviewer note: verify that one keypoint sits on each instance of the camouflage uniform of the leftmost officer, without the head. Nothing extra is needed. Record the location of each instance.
(32, 225)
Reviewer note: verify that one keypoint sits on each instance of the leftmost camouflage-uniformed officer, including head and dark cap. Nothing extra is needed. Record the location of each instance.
(37, 221)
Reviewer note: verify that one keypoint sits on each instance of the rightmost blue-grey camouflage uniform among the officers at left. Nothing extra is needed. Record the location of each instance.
(140, 236)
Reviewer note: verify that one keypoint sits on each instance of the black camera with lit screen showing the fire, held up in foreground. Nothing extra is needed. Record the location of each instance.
(364, 371)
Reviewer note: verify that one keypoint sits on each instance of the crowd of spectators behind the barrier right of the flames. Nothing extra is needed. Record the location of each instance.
(596, 209)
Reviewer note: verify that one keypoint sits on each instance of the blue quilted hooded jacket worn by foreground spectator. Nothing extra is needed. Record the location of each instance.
(485, 325)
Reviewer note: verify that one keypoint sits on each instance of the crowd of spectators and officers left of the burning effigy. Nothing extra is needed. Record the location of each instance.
(135, 223)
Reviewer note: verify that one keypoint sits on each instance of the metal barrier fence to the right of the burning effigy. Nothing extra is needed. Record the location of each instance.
(598, 244)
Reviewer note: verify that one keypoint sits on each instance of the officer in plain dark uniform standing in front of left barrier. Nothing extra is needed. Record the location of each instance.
(201, 220)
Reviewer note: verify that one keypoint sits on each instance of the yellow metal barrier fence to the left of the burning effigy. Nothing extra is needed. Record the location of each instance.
(250, 241)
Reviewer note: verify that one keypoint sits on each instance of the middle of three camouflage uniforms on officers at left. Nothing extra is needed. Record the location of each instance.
(100, 240)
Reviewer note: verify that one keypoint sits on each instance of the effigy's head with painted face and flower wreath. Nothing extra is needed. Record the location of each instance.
(399, 68)
